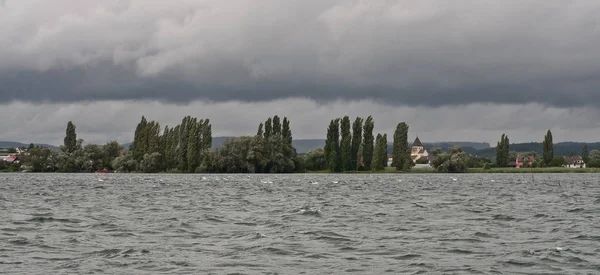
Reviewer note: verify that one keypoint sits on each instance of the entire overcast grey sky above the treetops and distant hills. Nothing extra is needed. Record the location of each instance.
(462, 70)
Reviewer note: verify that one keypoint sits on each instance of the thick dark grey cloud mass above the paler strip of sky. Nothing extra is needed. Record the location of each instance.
(429, 53)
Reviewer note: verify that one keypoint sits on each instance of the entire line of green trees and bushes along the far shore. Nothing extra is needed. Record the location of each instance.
(187, 148)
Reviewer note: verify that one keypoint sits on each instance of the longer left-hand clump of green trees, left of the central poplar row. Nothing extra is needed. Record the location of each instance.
(184, 148)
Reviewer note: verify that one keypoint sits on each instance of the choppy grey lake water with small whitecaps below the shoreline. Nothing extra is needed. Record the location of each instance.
(295, 224)
